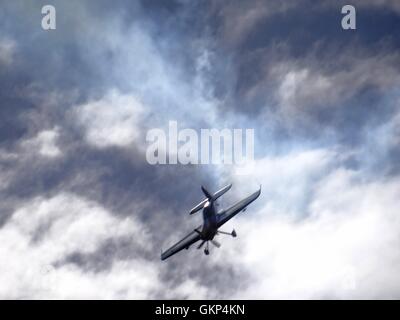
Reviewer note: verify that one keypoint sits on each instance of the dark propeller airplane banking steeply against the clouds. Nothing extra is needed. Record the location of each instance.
(212, 221)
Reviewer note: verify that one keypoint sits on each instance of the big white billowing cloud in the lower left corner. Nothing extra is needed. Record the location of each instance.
(44, 231)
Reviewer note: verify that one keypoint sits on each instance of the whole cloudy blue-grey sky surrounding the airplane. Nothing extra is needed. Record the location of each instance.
(83, 215)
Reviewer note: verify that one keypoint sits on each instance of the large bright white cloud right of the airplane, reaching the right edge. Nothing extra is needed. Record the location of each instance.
(345, 243)
